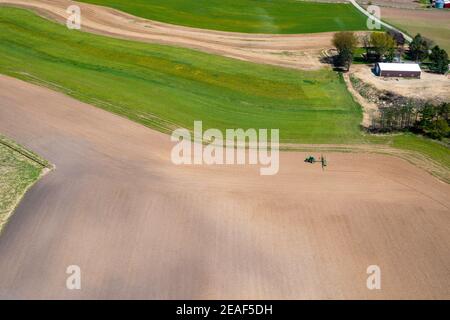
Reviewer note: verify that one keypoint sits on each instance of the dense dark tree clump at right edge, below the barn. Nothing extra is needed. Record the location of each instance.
(427, 119)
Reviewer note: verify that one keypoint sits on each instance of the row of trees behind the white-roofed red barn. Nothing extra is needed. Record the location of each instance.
(385, 46)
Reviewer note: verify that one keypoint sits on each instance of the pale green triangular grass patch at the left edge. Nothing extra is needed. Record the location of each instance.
(19, 169)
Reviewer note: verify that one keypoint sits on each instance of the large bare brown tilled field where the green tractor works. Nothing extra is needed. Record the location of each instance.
(141, 227)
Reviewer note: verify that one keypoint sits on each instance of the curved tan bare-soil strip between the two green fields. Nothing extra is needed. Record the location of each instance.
(293, 51)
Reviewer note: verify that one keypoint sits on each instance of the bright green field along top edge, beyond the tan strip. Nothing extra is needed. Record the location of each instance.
(253, 16)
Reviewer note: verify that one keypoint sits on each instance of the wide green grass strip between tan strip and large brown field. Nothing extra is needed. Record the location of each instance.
(166, 87)
